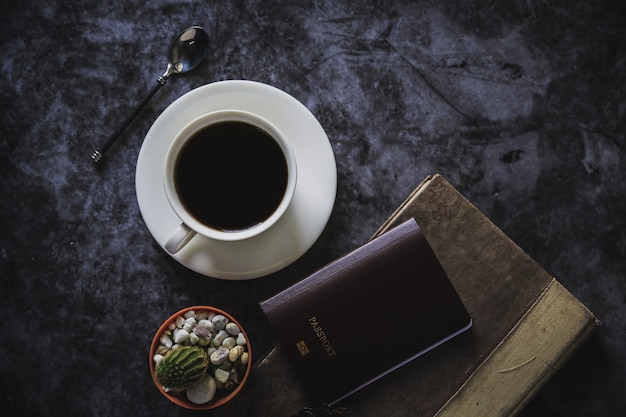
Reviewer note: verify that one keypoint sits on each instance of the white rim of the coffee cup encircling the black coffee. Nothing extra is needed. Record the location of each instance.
(215, 117)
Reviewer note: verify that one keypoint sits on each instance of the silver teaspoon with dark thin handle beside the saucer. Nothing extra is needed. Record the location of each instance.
(186, 52)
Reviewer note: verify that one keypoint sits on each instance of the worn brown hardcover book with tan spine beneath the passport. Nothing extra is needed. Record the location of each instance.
(525, 326)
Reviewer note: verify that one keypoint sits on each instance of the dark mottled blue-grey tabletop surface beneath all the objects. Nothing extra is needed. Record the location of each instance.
(519, 104)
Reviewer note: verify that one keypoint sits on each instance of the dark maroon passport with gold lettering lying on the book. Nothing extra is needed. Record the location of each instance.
(366, 314)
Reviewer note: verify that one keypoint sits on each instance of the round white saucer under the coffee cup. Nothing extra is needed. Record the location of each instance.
(302, 223)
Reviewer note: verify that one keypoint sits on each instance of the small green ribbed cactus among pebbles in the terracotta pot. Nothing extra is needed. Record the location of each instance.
(182, 368)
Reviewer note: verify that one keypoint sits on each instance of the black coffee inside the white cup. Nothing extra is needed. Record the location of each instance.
(231, 175)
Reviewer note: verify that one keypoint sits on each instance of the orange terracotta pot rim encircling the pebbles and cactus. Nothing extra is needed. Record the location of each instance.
(222, 396)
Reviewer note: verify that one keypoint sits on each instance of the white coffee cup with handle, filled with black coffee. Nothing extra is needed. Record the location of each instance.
(228, 175)
